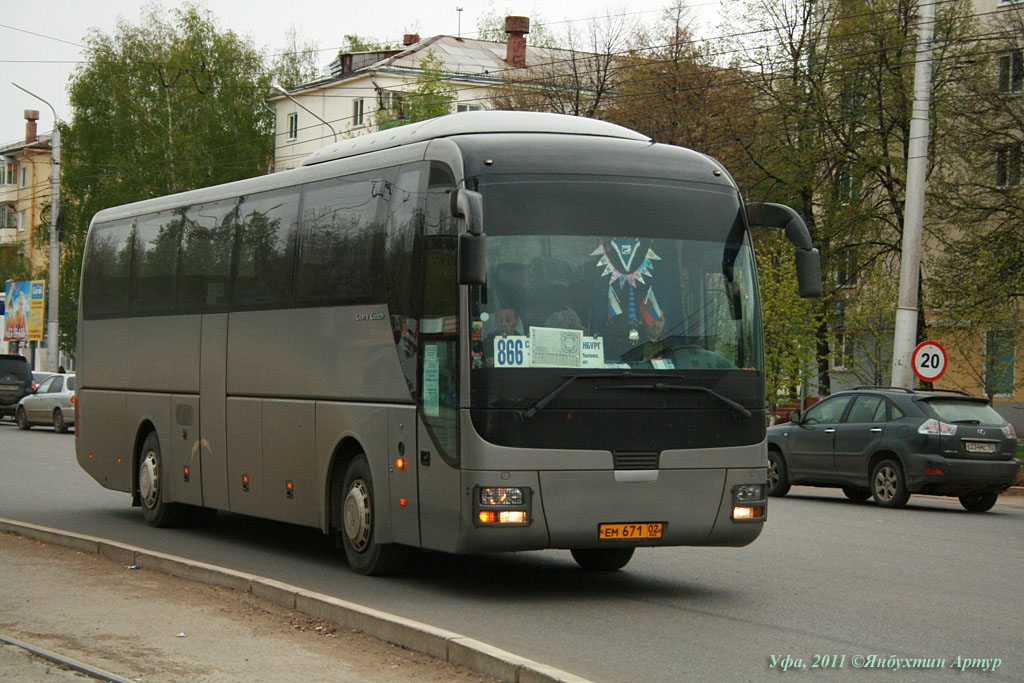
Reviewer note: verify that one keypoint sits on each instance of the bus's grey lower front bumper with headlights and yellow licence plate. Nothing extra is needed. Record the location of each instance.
(532, 510)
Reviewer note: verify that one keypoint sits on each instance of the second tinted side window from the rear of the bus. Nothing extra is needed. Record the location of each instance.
(155, 263)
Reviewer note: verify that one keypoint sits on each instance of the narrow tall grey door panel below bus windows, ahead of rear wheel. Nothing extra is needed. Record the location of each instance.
(210, 447)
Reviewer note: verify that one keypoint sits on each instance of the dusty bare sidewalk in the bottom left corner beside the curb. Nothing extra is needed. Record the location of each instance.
(148, 626)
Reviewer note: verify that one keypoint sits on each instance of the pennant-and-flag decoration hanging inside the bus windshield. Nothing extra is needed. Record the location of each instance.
(624, 254)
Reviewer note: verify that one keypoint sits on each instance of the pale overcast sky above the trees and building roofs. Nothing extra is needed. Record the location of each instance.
(40, 40)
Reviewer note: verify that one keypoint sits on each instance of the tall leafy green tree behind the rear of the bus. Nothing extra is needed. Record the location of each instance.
(169, 105)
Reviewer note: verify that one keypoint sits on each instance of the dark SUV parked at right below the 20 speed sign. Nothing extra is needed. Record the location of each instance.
(888, 443)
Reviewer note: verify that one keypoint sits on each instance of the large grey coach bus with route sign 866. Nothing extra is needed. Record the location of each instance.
(491, 331)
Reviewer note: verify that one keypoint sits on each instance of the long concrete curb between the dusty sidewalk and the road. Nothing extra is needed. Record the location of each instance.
(413, 635)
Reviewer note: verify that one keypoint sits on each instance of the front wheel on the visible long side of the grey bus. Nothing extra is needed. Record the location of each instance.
(365, 556)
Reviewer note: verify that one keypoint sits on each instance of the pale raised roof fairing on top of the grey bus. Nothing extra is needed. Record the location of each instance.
(467, 123)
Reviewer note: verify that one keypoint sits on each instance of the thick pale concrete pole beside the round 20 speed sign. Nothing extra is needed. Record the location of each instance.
(906, 337)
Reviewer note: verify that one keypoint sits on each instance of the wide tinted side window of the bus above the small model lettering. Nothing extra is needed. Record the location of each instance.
(342, 241)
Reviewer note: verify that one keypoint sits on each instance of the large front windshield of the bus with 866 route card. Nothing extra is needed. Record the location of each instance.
(615, 275)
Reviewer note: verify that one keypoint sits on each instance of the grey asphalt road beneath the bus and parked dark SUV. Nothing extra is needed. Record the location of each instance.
(828, 578)
